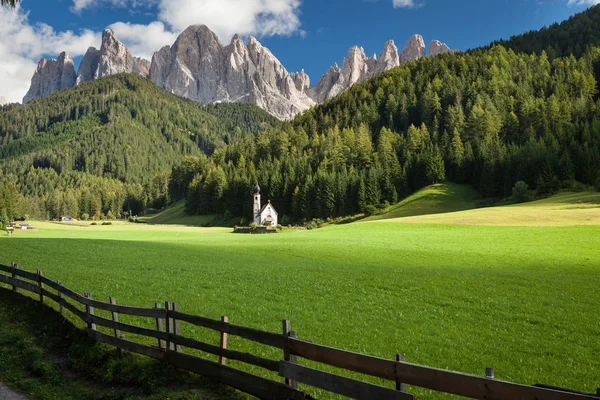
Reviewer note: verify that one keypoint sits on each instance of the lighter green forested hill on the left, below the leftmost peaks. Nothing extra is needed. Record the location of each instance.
(108, 146)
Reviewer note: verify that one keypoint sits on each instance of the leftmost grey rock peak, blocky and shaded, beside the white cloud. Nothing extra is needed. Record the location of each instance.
(50, 76)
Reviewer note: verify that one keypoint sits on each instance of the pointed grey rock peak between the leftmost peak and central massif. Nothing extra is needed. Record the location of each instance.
(112, 58)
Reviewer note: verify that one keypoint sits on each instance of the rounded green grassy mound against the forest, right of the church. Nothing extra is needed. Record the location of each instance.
(434, 199)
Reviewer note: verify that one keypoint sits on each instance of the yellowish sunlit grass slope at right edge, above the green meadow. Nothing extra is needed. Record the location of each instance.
(561, 209)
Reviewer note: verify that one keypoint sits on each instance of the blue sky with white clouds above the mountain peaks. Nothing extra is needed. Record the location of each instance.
(303, 34)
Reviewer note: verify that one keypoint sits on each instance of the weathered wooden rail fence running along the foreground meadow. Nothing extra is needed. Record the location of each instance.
(170, 344)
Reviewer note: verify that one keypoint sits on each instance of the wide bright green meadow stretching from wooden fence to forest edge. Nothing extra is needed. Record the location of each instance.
(522, 299)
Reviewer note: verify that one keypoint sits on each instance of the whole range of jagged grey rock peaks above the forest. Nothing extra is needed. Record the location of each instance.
(199, 67)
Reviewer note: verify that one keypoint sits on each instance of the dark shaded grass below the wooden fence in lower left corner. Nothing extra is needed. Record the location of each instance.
(47, 359)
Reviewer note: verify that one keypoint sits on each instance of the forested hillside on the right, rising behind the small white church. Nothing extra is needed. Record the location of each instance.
(489, 118)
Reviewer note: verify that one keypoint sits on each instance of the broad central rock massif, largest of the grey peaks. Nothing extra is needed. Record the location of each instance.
(200, 68)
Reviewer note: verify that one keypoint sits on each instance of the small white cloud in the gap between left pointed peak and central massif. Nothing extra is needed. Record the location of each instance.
(143, 40)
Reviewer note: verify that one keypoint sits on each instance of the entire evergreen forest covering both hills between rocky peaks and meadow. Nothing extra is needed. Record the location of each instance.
(526, 109)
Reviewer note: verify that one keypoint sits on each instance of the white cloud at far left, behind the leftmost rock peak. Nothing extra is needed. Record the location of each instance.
(23, 44)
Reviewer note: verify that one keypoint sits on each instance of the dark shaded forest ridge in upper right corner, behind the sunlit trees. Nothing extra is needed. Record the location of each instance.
(571, 37)
